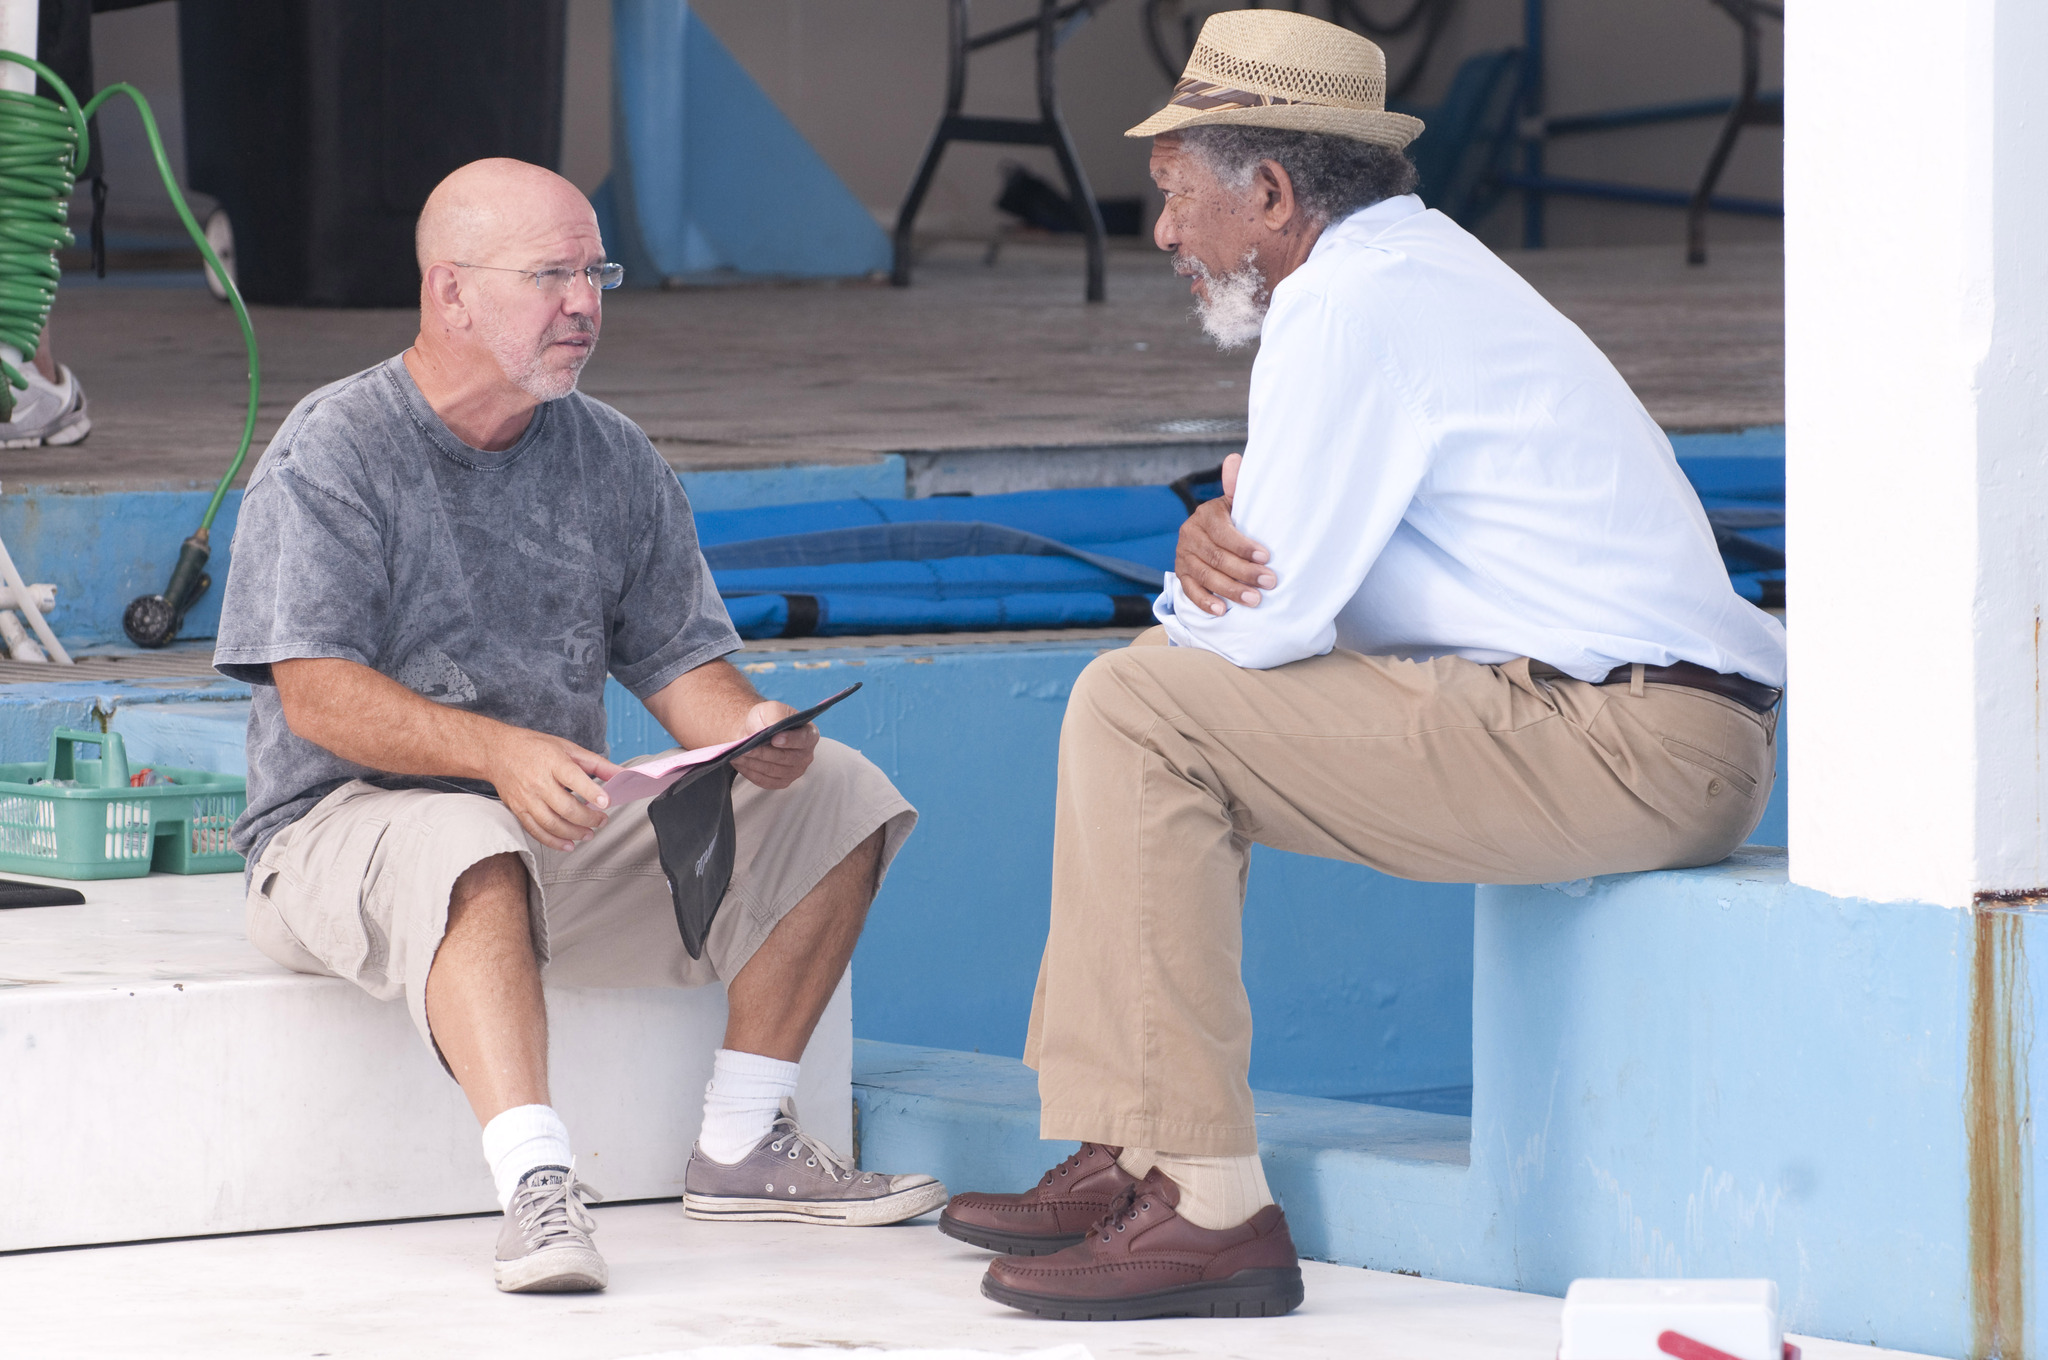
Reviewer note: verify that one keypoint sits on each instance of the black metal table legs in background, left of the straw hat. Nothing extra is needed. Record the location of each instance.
(1052, 26)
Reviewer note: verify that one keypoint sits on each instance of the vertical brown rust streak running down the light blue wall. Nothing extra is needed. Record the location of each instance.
(1996, 1113)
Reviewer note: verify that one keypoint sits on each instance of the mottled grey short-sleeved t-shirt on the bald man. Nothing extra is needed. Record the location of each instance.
(499, 583)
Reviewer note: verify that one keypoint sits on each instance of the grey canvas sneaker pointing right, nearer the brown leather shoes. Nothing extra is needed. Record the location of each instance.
(794, 1179)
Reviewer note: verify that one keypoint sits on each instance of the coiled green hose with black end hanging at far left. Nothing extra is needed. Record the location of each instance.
(42, 146)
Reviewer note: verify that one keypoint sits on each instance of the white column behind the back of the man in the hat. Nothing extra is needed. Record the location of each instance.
(1918, 443)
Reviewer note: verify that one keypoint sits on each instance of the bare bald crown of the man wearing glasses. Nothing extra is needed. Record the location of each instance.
(497, 208)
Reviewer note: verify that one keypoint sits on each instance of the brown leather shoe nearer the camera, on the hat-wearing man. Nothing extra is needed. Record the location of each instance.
(1146, 1261)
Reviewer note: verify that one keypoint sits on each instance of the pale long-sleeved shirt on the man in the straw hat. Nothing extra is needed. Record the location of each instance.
(1441, 464)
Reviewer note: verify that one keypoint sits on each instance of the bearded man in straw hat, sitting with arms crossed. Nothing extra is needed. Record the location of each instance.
(1457, 618)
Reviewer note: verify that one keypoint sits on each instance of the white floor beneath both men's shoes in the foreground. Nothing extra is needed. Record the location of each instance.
(425, 1289)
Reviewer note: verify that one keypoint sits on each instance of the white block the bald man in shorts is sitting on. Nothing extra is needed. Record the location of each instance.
(161, 1078)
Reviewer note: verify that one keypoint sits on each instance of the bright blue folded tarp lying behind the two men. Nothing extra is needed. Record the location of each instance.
(1052, 560)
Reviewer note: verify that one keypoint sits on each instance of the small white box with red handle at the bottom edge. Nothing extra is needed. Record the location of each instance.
(1674, 1320)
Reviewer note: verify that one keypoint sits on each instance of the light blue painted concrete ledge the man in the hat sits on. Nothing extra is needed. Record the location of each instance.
(1678, 1074)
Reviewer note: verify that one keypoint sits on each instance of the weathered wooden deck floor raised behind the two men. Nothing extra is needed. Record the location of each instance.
(972, 357)
